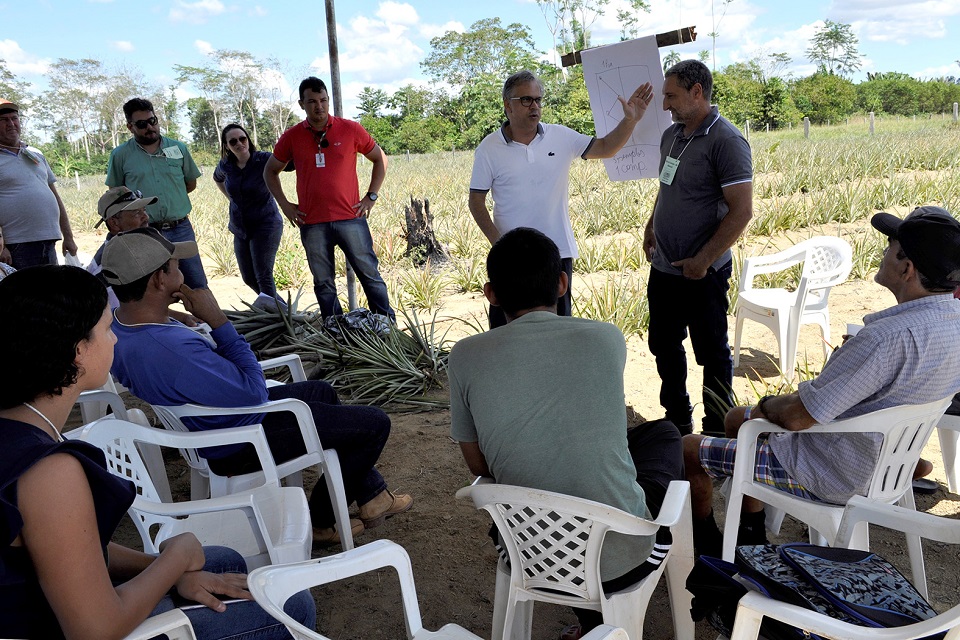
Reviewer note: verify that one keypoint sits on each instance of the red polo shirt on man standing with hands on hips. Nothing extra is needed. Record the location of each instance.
(328, 192)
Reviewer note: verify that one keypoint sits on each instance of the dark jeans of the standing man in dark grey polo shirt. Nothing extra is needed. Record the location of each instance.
(677, 303)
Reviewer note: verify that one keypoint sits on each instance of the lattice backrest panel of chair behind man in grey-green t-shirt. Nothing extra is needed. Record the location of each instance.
(552, 547)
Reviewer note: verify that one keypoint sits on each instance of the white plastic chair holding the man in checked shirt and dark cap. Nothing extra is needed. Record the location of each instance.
(905, 431)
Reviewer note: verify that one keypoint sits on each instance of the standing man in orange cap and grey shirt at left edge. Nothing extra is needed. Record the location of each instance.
(31, 212)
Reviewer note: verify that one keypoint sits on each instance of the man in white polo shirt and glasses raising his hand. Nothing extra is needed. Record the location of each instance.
(526, 165)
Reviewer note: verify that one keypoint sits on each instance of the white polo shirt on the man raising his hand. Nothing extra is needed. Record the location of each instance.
(530, 183)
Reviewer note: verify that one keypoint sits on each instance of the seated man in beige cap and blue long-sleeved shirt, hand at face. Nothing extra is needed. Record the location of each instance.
(164, 363)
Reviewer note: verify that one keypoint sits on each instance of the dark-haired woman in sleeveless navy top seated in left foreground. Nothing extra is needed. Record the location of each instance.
(60, 576)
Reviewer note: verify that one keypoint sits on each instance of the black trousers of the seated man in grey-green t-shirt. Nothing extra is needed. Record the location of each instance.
(657, 454)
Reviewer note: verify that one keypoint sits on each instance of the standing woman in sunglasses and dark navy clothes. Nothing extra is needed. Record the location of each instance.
(254, 217)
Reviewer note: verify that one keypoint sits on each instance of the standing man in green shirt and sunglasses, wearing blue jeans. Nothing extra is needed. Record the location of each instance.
(152, 163)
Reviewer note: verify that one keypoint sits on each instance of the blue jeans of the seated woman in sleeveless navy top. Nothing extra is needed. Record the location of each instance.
(242, 620)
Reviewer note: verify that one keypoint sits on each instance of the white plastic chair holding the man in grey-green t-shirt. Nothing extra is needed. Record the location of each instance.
(554, 544)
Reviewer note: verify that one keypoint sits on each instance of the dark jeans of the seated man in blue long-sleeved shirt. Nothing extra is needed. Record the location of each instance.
(357, 433)
